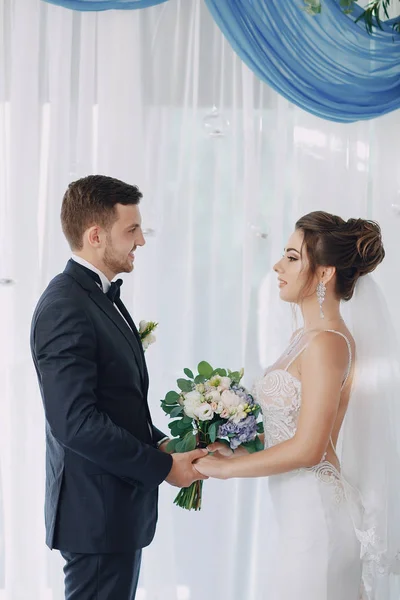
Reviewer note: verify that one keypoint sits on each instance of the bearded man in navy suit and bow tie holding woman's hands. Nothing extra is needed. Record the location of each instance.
(104, 457)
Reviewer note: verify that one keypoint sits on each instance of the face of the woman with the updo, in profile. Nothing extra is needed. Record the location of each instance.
(293, 270)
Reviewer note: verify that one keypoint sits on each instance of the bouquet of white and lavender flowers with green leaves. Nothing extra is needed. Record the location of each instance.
(210, 406)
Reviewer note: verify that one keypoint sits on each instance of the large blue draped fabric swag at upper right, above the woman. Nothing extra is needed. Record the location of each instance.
(327, 64)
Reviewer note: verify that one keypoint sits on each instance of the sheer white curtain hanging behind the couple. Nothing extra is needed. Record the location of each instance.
(157, 98)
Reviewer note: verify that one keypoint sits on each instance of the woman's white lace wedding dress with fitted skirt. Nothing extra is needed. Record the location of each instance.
(317, 556)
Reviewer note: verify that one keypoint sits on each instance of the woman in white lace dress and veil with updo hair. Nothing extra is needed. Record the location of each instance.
(335, 538)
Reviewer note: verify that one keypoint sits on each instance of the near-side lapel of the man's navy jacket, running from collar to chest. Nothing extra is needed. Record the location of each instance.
(96, 294)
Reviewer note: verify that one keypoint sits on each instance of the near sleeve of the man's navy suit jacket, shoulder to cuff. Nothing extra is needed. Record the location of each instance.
(64, 345)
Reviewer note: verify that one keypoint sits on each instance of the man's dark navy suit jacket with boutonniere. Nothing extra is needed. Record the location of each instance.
(102, 466)
